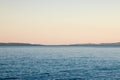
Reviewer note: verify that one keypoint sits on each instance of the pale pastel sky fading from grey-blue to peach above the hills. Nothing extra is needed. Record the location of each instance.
(60, 21)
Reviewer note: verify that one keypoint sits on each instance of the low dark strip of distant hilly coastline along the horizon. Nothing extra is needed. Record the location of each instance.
(89, 44)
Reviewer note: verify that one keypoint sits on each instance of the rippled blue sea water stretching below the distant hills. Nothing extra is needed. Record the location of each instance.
(59, 63)
